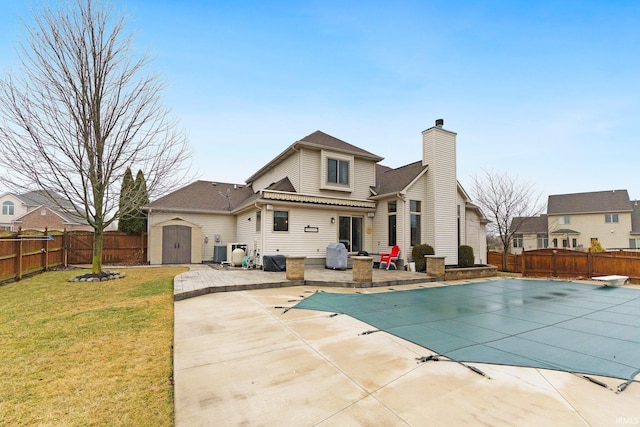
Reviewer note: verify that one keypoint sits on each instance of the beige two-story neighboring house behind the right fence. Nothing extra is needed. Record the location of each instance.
(573, 221)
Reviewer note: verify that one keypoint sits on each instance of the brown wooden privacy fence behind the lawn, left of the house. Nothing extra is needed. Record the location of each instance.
(23, 254)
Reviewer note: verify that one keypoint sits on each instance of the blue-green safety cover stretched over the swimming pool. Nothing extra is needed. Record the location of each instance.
(560, 325)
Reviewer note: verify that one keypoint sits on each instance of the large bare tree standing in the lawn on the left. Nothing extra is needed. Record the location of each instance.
(81, 110)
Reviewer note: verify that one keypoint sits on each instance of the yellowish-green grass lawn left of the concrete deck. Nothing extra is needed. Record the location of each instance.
(82, 354)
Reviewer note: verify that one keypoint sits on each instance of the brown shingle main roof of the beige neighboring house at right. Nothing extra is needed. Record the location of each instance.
(593, 202)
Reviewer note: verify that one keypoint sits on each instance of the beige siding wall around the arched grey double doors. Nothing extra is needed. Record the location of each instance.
(224, 225)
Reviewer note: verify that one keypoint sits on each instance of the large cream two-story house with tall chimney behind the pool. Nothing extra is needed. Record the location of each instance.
(318, 191)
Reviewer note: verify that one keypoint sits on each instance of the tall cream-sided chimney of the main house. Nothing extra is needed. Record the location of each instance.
(439, 152)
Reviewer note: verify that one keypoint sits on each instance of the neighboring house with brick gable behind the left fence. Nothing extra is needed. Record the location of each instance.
(36, 211)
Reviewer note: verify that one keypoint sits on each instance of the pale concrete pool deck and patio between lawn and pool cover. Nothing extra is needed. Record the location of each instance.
(240, 358)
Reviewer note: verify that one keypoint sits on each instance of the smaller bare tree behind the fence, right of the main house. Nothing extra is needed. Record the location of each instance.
(504, 199)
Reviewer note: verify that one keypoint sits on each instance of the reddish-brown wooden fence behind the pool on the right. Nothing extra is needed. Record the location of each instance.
(553, 262)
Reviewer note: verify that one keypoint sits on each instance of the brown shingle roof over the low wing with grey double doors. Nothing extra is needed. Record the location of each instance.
(205, 196)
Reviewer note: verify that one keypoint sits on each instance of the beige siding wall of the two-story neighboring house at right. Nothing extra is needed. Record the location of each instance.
(610, 235)
